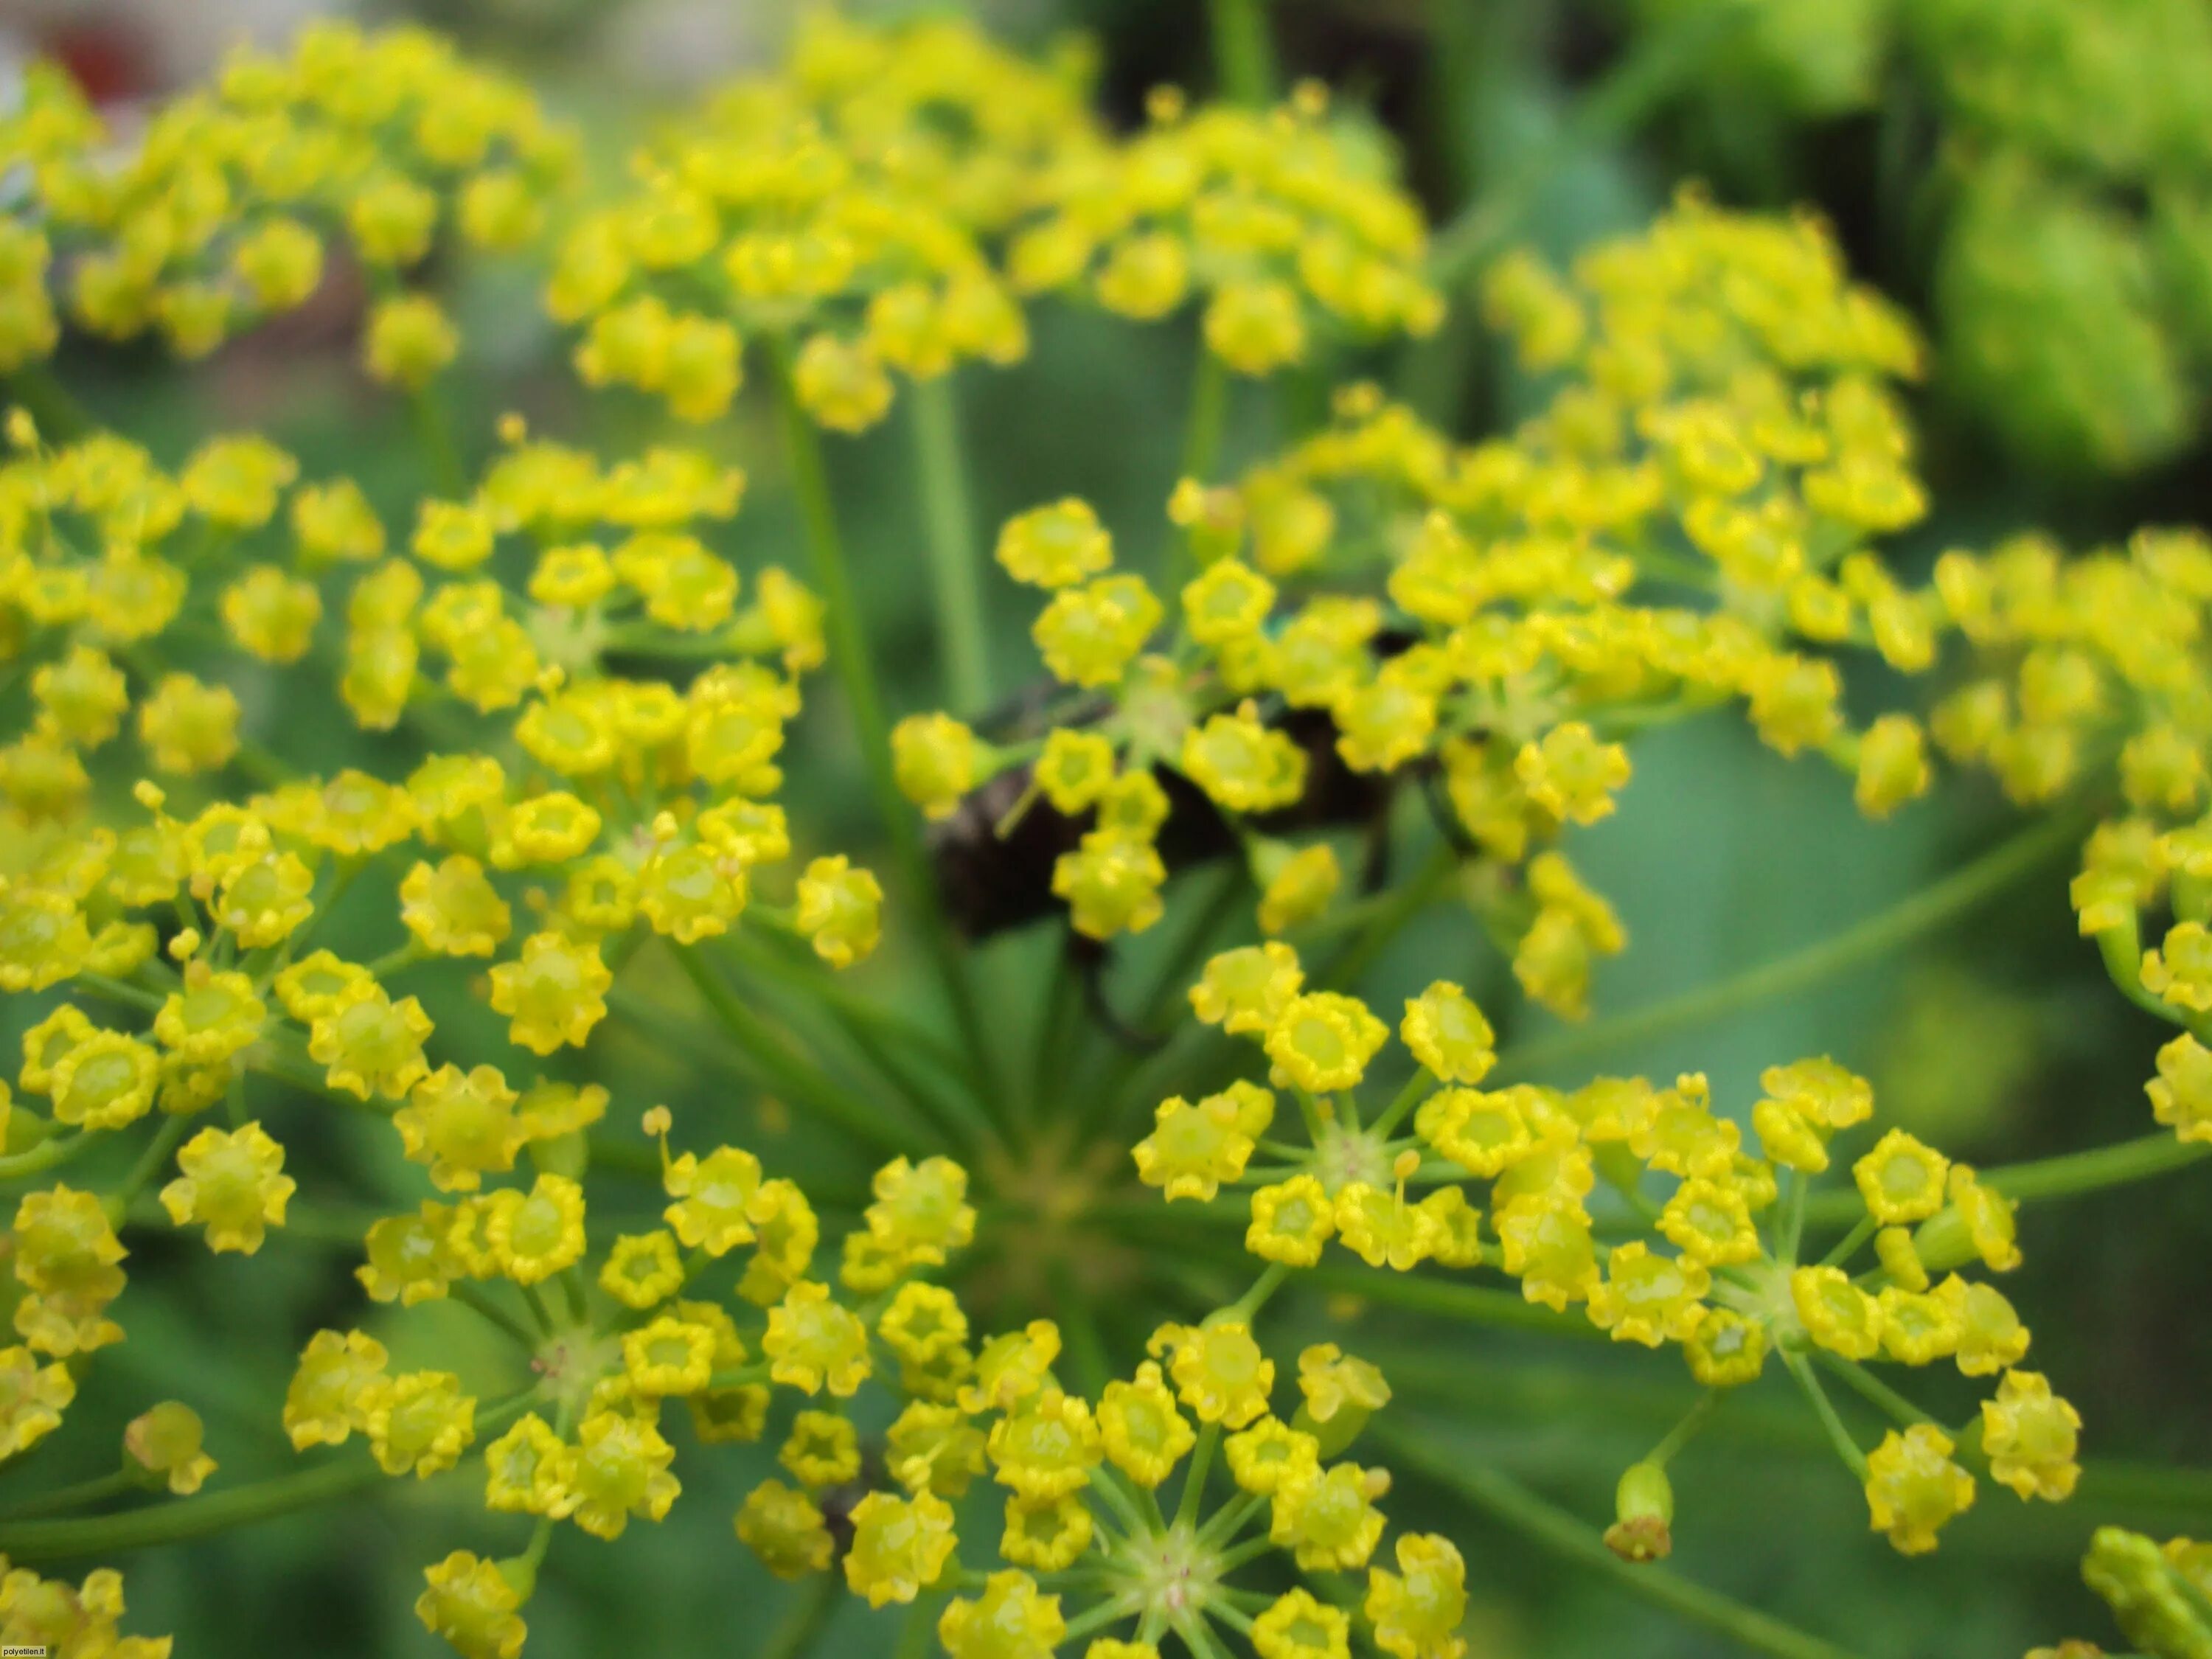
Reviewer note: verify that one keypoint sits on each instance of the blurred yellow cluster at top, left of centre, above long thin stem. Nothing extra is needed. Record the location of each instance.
(837, 209)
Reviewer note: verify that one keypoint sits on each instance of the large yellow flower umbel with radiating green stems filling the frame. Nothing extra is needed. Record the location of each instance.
(1061, 1229)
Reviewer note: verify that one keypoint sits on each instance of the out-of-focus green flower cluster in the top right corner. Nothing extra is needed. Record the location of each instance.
(2074, 178)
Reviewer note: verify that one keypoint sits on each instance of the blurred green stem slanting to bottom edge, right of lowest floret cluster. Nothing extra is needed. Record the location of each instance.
(1543, 1523)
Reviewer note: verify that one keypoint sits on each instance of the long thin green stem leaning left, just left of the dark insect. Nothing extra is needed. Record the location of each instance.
(857, 674)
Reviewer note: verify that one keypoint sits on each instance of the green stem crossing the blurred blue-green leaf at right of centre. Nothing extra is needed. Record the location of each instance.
(1868, 941)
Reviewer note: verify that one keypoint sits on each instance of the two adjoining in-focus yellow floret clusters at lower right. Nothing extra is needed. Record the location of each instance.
(1695, 1240)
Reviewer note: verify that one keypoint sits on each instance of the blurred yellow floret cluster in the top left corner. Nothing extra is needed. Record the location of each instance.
(225, 209)
